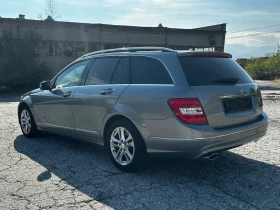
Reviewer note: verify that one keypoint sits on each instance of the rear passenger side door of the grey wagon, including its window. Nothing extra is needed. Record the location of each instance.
(106, 80)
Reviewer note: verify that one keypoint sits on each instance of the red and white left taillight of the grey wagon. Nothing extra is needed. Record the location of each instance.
(188, 110)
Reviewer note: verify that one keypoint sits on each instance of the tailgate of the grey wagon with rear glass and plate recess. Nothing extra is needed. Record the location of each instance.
(227, 93)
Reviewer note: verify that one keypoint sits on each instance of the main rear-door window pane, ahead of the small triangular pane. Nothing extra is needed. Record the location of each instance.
(101, 71)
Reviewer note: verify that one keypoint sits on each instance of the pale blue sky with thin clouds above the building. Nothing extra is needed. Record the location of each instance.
(240, 16)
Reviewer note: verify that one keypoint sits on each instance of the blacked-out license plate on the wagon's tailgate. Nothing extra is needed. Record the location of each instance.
(238, 104)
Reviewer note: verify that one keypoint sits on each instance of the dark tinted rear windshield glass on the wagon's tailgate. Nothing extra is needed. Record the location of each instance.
(201, 71)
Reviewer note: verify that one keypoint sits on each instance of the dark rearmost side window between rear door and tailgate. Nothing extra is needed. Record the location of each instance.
(148, 71)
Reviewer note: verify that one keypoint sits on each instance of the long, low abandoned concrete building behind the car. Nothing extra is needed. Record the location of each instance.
(63, 42)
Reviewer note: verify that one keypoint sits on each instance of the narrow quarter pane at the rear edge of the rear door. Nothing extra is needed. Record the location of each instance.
(122, 74)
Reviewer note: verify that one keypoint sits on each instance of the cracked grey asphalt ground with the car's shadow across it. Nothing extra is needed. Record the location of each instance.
(53, 172)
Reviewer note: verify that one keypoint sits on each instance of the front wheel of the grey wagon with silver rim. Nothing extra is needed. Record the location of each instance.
(27, 123)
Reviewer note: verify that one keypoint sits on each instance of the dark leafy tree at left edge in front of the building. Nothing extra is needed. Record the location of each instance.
(20, 64)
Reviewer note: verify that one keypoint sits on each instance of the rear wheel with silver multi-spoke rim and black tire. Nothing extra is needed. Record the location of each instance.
(126, 146)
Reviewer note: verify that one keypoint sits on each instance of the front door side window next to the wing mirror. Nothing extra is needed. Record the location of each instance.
(71, 76)
